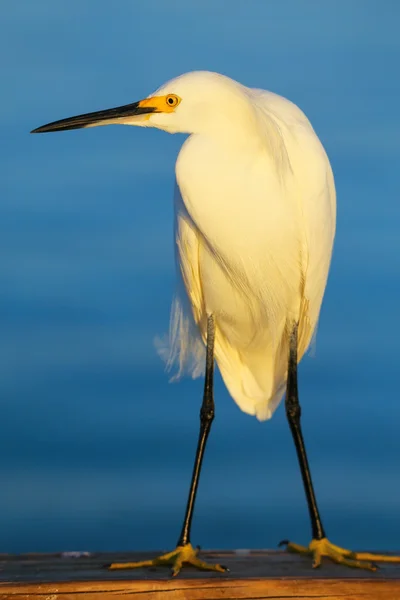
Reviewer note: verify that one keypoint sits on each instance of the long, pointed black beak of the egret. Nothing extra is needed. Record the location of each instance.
(101, 117)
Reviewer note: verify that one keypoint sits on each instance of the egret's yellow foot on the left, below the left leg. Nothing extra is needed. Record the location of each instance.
(182, 555)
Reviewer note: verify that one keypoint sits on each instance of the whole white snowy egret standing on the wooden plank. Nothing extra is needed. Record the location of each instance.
(255, 213)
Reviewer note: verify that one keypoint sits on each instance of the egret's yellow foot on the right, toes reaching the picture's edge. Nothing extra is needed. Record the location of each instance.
(358, 560)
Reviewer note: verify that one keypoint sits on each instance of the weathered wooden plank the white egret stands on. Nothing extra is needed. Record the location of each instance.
(253, 575)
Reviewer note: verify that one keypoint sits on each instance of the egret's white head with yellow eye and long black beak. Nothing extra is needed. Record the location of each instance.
(195, 102)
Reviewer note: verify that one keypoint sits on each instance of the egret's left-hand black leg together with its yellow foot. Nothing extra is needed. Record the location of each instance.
(184, 553)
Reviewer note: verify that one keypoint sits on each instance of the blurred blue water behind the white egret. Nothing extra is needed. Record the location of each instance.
(96, 445)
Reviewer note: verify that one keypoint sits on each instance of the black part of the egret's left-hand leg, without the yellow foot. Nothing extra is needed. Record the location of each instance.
(206, 418)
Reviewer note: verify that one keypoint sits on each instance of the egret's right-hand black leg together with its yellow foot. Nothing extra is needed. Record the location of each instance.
(320, 546)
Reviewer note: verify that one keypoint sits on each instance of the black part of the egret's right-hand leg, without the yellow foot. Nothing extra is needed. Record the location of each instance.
(293, 412)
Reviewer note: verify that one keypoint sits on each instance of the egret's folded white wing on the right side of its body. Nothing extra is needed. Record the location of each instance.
(316, 198)
